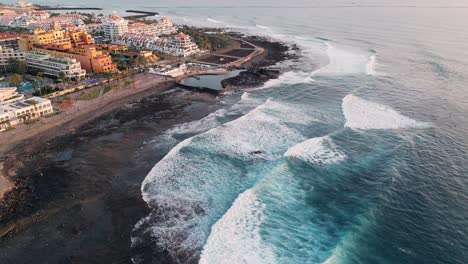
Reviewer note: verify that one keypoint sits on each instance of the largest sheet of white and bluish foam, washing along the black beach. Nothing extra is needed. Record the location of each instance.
(185, 185)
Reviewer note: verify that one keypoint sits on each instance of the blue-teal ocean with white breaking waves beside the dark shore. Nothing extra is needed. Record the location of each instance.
(358, 153)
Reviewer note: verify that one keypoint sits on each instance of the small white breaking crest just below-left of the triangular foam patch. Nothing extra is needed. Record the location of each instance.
(319, 151)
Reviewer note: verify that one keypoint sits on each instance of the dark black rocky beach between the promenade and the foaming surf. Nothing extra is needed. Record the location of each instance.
(83, 190)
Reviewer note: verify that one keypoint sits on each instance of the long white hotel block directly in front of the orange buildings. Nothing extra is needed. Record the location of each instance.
(53, 66)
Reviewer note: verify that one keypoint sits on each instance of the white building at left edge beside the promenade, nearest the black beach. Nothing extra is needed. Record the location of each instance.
(19, 112)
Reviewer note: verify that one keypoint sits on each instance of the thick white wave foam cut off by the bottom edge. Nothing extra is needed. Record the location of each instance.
(235, 238)
